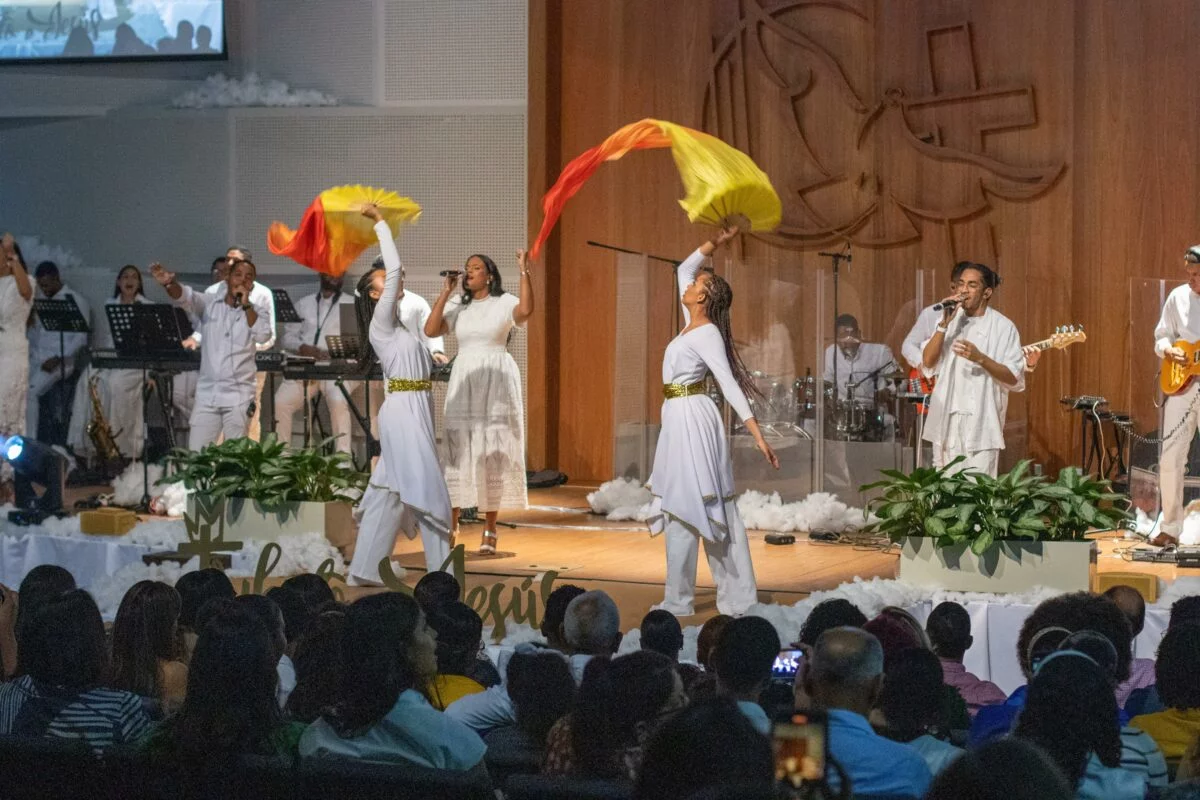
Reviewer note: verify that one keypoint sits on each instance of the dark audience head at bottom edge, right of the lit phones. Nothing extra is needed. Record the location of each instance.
(992, 772)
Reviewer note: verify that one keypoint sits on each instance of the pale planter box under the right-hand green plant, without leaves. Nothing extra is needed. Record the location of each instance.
(1006, 568)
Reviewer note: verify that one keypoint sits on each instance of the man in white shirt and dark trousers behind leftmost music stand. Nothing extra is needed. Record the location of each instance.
(47, 368)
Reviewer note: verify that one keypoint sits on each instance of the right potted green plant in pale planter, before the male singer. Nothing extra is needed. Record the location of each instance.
(969, 532)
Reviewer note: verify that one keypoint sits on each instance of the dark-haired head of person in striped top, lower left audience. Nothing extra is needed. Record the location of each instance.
(64, 643)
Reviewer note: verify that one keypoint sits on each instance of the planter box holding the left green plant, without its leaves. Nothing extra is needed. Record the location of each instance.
(249, 520)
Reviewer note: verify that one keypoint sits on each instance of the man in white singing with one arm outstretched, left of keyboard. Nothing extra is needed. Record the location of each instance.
(232, 324)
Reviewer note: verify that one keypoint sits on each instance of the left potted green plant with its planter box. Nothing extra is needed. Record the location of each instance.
(266, 490)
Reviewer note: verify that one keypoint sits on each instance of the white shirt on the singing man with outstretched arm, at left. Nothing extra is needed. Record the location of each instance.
(227, 359)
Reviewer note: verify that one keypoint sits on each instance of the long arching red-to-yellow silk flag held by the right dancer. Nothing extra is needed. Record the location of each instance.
(722, 184)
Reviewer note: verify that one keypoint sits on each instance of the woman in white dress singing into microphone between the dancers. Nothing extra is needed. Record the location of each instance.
(484, 420)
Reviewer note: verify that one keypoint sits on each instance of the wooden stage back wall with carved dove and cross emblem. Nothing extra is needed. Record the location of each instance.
(1051, 139)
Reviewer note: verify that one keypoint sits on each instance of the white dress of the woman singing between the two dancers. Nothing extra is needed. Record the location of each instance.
(484, 440)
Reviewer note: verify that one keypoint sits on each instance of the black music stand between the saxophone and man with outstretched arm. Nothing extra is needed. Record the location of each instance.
(140, 332)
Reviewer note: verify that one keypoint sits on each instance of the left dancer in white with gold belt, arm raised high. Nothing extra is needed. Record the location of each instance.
(407, 491)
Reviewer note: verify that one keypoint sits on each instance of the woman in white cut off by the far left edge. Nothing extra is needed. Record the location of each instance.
(16, 300)
